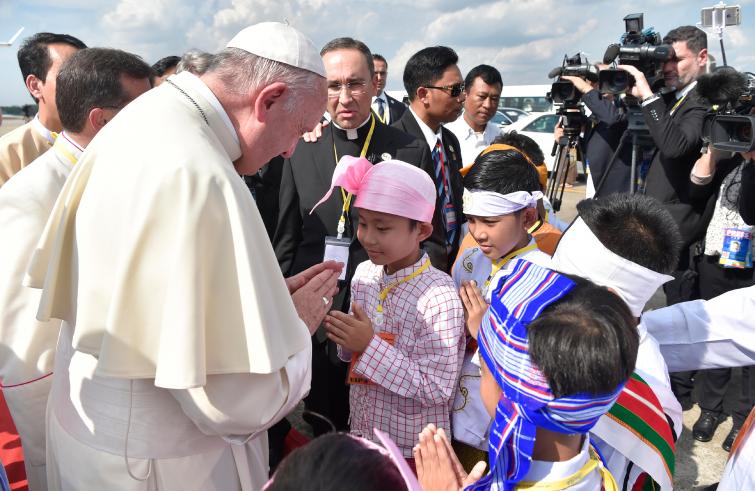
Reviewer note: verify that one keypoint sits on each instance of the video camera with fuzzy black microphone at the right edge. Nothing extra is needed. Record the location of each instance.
(729, 125)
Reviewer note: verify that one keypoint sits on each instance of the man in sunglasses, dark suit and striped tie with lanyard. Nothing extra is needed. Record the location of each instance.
(436, 93)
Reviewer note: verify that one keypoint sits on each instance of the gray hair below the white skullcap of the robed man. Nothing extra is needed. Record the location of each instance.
(242, 72)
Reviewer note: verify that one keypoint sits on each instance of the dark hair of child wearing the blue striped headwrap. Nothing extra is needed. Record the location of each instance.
(586, 343)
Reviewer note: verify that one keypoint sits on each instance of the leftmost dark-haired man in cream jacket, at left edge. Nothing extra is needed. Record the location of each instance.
(39, 58)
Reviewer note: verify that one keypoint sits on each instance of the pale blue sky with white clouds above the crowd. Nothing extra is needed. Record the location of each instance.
(524, 39)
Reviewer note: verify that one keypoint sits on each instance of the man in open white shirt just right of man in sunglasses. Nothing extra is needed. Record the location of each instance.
(474, 129)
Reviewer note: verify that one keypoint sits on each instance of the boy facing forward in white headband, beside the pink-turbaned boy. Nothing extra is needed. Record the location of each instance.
(501, 191)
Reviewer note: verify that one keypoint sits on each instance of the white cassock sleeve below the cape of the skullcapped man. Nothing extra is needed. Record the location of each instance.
(238, 406)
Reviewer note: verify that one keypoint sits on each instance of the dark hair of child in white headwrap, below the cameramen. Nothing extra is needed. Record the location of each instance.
(635, 227)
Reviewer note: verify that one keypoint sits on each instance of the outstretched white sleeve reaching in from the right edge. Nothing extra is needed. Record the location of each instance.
(701, 334)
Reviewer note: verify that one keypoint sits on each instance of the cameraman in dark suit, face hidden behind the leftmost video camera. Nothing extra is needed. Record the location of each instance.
(602, 136)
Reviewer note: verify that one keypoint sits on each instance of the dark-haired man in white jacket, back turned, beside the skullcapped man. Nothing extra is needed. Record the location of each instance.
(92, 86)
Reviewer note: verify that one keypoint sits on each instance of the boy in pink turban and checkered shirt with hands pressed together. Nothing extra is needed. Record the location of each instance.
(404, 336)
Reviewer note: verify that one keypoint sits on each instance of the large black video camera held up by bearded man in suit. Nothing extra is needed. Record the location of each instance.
(639, 47)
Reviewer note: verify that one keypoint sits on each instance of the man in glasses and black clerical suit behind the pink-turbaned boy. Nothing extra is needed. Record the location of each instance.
(303, 238)
